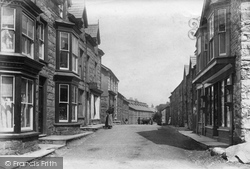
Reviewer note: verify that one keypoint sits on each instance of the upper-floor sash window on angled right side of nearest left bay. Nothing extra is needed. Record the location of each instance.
(27, 36)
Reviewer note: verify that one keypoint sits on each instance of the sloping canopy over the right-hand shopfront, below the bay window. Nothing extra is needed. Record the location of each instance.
(219, 68)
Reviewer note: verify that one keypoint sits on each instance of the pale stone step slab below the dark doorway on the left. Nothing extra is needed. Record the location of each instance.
(62, 139)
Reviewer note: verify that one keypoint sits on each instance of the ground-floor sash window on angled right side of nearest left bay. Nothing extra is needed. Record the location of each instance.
(27, 104)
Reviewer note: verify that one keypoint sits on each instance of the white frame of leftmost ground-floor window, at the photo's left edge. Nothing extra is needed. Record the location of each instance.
(11, 129)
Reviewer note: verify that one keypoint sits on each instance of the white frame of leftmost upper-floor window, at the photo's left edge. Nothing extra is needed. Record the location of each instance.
(8, 29)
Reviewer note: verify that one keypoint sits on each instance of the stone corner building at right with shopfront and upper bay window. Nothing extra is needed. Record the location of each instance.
(221, 100)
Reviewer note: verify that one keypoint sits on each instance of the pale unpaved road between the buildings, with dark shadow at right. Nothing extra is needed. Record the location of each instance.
(140, 146)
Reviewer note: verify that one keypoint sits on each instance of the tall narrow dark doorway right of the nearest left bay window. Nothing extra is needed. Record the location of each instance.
(42, 105)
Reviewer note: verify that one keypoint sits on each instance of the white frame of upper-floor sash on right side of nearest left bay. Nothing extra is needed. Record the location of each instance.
(27, 37)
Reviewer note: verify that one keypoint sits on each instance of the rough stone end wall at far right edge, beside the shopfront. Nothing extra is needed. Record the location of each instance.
(240, 45)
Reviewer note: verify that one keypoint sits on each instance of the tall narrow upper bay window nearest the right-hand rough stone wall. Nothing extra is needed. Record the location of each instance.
(222, 31)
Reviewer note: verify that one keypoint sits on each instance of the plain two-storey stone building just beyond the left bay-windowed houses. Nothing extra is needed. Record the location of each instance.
(110, 90)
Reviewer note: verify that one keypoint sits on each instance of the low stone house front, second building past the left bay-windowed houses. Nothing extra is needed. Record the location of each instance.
(122, 108)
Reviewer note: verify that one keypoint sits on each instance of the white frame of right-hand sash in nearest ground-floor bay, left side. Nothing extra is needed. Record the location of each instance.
(27, 103)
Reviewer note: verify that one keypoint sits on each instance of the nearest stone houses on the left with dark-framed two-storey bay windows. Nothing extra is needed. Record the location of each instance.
(49, 72)
